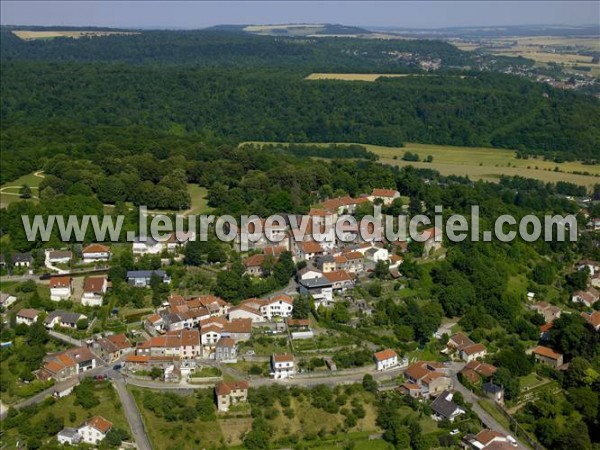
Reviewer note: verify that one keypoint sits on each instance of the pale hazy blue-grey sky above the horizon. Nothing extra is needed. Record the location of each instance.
(190, 14)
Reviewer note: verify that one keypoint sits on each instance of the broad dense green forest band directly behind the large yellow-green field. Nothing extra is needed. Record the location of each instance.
(55, 105)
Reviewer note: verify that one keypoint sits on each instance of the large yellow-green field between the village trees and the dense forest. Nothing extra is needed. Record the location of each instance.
(486, 164)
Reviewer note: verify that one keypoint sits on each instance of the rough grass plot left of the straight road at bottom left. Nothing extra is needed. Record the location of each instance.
(74, 415)
